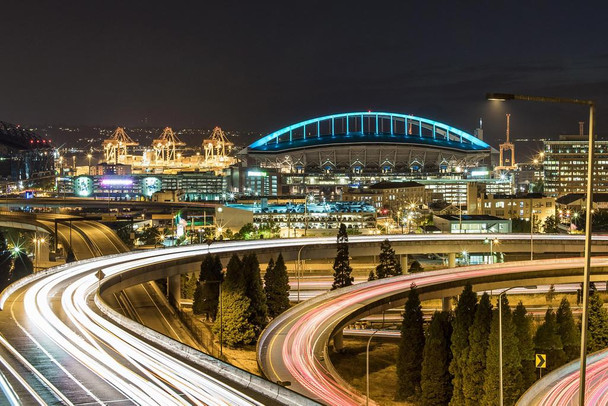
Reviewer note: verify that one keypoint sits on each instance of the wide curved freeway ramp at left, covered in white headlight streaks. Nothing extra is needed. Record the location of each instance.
(56, 346)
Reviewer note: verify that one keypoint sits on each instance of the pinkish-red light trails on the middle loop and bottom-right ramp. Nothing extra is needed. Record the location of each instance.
(308, 330)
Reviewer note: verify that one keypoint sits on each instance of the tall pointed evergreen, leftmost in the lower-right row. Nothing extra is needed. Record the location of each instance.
(409, 360)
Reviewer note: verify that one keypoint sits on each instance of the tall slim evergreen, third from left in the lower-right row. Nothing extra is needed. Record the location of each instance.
(464, 315)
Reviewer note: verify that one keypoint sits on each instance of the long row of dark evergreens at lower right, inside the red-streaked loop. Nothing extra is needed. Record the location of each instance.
(460, 348)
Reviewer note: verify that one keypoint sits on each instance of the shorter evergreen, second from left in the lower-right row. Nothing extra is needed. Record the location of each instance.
(436, 380)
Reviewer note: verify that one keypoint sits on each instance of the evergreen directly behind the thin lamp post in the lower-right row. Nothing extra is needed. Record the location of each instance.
(510, 357)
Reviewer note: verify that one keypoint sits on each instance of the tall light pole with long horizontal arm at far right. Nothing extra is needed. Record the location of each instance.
(588, 207)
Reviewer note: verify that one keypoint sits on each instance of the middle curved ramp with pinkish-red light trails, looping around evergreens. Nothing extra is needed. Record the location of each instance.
(294, 347)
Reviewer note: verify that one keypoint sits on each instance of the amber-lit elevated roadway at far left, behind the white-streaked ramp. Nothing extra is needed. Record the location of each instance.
(86, 238)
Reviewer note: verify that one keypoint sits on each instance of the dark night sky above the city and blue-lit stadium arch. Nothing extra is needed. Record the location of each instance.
(258, 66)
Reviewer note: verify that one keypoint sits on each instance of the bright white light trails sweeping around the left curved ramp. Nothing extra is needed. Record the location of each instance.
(155, 367)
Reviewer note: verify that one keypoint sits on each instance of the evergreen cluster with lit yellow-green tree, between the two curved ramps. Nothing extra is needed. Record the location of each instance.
(243, 305)
